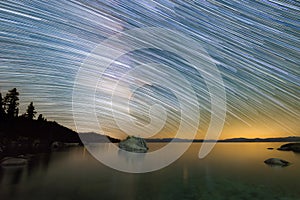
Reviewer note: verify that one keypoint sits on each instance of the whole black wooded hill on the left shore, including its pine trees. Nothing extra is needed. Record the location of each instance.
(25, 131)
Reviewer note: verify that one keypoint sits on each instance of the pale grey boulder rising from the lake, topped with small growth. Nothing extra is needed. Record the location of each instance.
(134, 144)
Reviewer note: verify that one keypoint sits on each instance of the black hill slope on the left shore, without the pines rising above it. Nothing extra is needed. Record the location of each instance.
(22, 136)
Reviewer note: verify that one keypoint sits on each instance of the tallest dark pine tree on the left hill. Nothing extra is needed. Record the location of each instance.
(11, 103)
